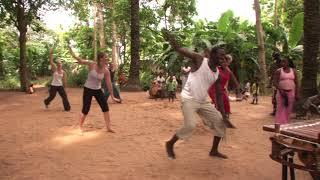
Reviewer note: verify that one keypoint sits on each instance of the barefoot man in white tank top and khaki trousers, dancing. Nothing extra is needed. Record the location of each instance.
(194, 97)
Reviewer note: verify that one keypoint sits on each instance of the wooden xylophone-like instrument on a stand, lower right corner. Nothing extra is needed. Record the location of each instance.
(302, 139)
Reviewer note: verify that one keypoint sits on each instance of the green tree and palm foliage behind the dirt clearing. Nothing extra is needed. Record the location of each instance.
(239, 38)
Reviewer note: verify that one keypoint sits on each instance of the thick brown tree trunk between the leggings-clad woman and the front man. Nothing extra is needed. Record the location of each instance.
(134, 83)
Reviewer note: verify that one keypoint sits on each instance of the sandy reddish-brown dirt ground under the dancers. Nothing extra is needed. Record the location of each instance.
(38, 143)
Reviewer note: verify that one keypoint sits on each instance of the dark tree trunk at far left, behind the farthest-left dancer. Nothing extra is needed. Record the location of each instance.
(22, 27)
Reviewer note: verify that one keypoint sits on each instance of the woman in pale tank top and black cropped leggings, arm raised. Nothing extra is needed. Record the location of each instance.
(92, 88)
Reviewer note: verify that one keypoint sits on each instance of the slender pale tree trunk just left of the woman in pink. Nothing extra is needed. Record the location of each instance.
(261, 48)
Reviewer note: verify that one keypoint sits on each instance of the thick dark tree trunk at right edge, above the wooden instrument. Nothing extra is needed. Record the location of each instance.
(311, 48)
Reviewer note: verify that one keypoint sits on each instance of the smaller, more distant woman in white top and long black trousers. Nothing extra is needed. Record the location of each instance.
(58, 83)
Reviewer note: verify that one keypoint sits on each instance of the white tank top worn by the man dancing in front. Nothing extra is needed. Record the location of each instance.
(199, 82)
